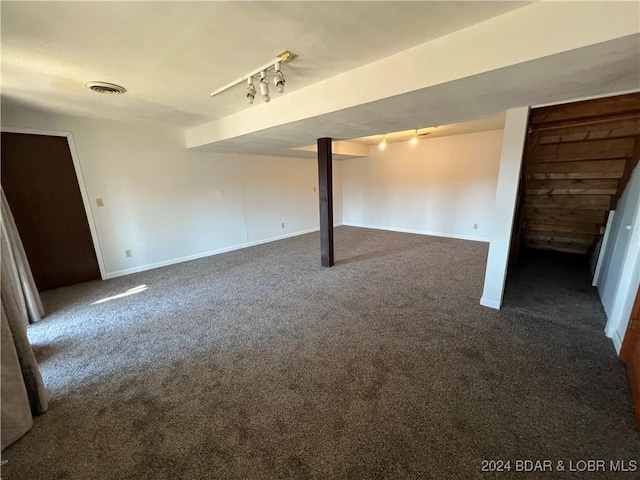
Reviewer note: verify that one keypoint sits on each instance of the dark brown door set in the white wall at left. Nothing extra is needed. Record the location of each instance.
(42, 189)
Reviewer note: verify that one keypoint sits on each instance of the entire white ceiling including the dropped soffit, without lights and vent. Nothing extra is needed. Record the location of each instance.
(171, 55)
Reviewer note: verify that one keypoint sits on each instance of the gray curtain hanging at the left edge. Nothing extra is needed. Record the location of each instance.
(23, 393)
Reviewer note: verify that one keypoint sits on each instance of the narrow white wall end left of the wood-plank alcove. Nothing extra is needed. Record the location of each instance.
(515, 132)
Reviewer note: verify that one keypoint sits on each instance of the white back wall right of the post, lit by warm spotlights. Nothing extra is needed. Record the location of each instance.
(441, 186)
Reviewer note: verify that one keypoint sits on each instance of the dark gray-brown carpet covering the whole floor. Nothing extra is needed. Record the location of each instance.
(260, 364)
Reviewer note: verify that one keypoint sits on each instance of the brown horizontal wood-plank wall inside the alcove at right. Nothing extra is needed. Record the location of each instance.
(578, 159)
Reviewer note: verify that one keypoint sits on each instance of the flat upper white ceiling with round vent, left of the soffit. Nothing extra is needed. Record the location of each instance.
(170, 55)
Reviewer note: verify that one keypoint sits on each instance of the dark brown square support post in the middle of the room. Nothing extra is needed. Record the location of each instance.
(325, 182)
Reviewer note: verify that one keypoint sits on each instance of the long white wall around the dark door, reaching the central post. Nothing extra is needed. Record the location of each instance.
(167, 204)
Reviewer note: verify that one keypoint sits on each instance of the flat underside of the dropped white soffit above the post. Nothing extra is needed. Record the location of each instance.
(469, 104)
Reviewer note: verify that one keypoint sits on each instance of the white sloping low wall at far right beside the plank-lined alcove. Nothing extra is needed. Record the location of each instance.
(620, 273)
